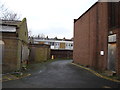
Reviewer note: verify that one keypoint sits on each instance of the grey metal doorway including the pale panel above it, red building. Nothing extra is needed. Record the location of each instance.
(112, 52)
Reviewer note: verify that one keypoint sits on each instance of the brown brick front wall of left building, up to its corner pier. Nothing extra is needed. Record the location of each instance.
(10, 55)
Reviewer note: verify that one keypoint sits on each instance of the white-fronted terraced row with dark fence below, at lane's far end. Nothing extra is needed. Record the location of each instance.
(60, 48)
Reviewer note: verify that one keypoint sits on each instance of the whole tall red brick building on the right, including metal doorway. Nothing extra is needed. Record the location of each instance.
(97, 37)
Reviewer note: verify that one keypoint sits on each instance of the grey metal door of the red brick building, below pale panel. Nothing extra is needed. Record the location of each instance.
(111, 56)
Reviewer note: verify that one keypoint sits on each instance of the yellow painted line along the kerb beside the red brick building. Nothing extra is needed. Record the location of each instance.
(97, 74)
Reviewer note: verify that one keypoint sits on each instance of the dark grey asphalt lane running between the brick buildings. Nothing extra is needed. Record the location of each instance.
(60, 74)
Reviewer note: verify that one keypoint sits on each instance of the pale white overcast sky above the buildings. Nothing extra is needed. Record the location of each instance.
(50, 17)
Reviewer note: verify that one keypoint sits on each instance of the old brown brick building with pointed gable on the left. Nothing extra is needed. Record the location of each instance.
(15, 45)
